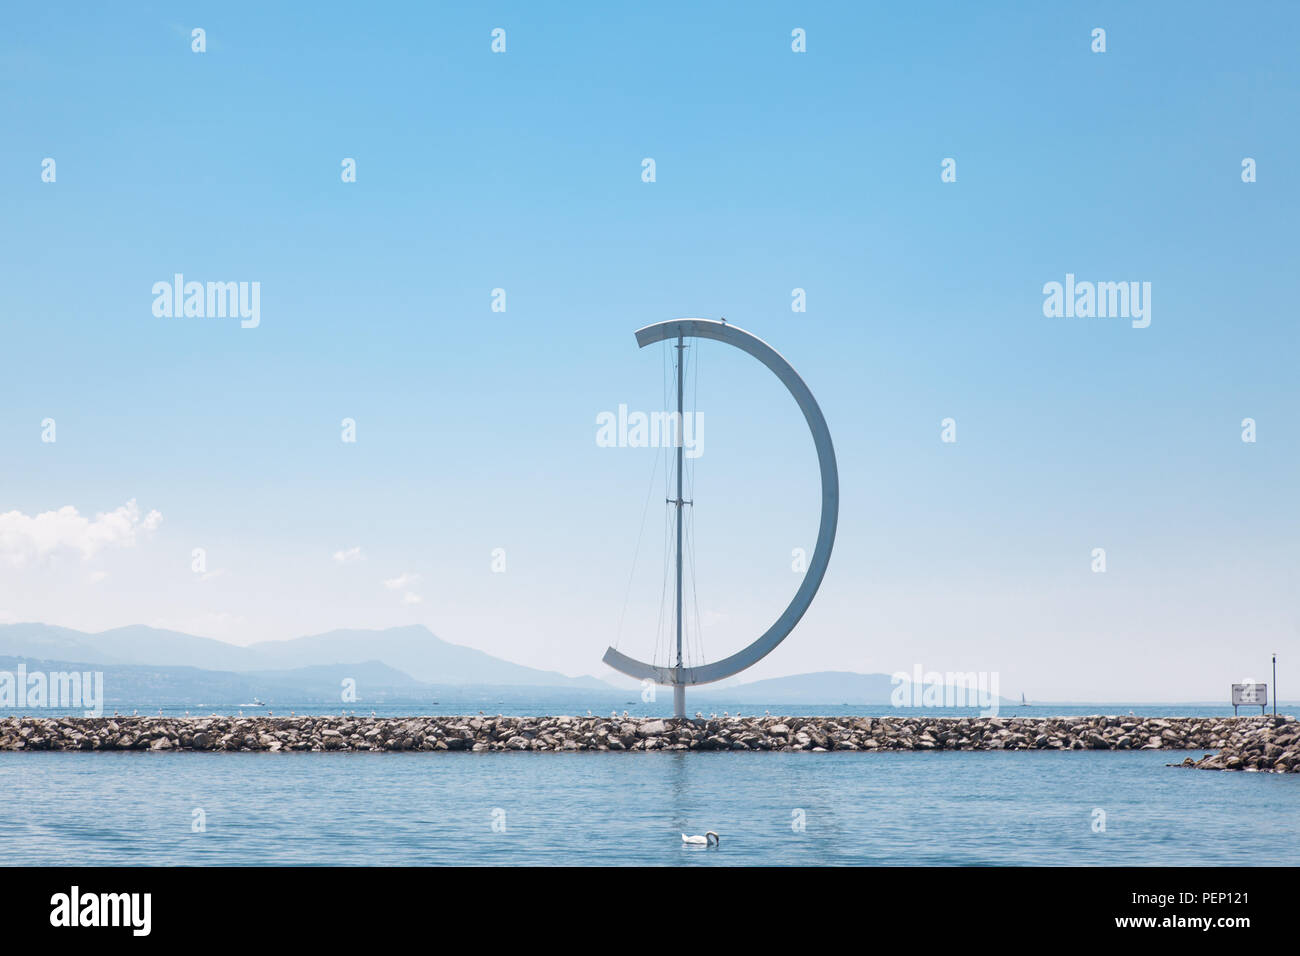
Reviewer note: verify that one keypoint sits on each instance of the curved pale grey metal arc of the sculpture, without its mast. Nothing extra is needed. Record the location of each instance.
(761, 351)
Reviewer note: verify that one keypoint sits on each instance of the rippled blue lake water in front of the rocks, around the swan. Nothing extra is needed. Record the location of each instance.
(952, 808)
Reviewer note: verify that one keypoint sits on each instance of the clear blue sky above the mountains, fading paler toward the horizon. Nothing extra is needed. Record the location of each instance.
(774, 171)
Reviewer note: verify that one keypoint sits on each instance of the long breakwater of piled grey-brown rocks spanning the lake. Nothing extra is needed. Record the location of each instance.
(1242, 743)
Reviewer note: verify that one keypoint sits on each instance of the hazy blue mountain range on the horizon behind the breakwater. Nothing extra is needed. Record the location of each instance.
(146, 667)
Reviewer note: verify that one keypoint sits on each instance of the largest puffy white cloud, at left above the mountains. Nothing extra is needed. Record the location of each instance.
(33, 538)
